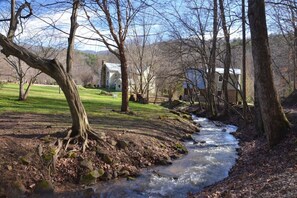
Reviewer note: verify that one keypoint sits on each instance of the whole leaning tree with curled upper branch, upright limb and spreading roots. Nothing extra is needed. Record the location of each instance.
(80, 125)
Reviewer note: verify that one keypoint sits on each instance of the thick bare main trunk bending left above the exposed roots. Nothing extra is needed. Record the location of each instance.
(53, 68)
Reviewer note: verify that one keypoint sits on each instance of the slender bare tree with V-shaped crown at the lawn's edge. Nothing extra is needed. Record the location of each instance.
(115, 17)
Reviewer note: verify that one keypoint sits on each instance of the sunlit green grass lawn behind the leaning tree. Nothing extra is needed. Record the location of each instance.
(47, 100)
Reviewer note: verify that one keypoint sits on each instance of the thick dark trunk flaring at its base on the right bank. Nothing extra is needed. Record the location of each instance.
(274, 120)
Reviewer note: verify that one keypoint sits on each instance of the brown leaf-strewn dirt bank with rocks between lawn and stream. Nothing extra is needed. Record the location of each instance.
(27, 152)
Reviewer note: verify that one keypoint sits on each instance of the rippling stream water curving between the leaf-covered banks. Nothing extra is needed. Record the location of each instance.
(209, 160)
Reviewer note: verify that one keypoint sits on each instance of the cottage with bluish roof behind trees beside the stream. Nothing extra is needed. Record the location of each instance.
(196, 79)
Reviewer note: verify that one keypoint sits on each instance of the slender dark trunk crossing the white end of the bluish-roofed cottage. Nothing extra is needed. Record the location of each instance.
(227, 61)
